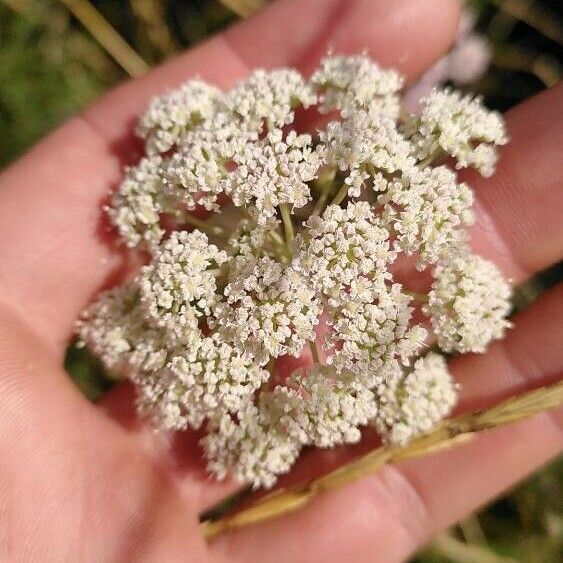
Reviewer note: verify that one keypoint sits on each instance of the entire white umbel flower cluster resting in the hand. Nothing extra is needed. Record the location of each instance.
(259, 234)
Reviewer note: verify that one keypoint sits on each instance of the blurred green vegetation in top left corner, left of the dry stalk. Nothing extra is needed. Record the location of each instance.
(48, 70)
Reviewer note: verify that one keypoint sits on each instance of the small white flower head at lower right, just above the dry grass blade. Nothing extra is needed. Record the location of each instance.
(412, 404)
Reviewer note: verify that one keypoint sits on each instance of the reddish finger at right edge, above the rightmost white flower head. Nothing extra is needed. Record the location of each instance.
(519, 209)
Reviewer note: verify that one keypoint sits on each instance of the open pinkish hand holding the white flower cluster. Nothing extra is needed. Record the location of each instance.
(83, 482)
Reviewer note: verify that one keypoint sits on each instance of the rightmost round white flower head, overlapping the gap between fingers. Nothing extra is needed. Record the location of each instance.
(468, 304)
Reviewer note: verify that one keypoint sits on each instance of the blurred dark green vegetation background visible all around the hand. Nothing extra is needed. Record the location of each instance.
(52, 65)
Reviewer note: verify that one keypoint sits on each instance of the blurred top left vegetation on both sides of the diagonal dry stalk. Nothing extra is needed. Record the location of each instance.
(51, 67)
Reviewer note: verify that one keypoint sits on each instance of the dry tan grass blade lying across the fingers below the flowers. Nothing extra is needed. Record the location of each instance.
(445, 435)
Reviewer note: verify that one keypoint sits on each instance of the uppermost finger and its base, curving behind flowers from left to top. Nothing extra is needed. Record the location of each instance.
(60, 251)
